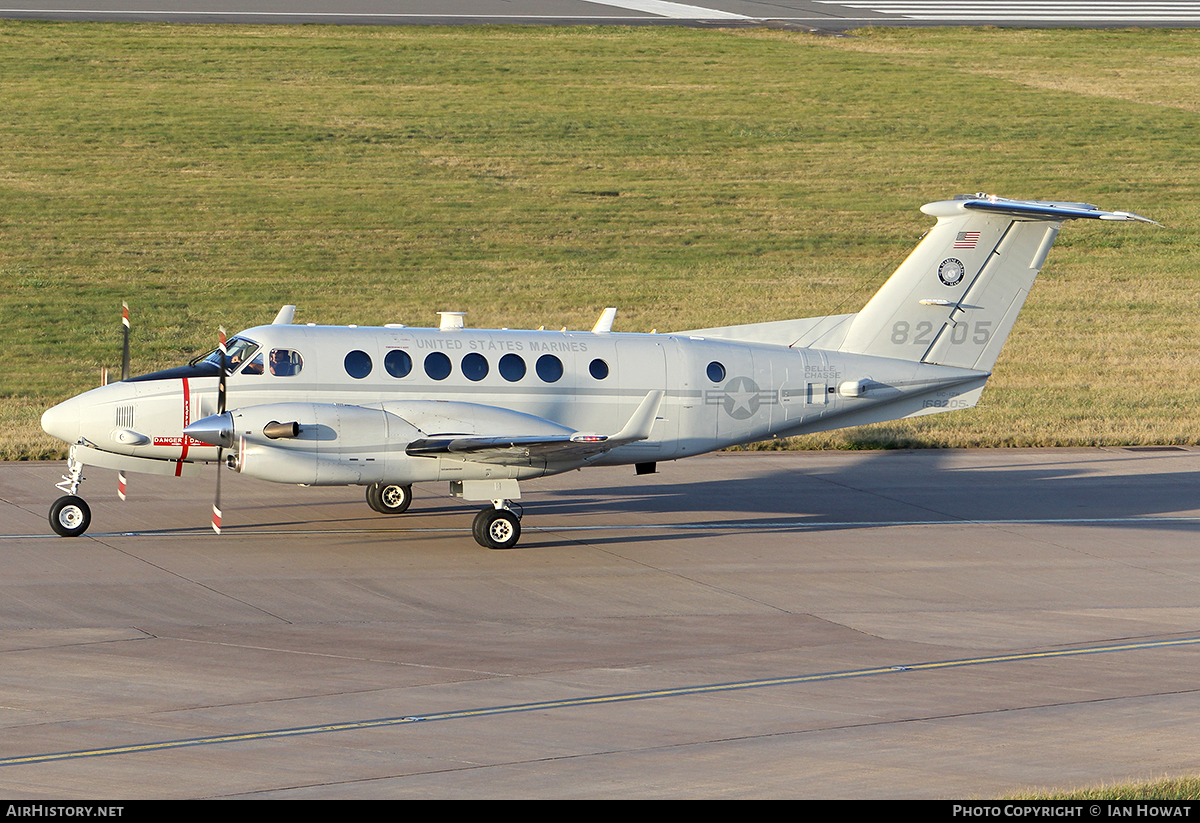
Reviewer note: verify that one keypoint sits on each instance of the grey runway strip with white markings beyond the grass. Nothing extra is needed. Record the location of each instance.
(824, 15)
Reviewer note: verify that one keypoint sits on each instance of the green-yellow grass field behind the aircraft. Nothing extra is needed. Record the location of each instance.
(692, 178)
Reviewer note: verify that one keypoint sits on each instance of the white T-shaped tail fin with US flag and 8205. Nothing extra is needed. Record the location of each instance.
(957, 297)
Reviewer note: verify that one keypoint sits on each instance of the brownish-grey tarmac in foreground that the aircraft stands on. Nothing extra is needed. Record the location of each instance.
(927, 624)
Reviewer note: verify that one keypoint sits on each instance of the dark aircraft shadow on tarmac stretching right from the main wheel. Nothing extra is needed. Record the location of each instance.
(911, 486)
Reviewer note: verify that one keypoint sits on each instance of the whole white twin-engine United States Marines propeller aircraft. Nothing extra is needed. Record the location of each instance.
(484, 410)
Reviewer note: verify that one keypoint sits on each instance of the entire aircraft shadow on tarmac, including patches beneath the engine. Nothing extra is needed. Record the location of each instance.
(878, 490)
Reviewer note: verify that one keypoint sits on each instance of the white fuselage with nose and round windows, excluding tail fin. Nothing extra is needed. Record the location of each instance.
(363, 395)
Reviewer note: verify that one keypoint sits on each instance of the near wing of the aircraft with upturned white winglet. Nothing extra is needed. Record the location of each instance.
(553, 448)
